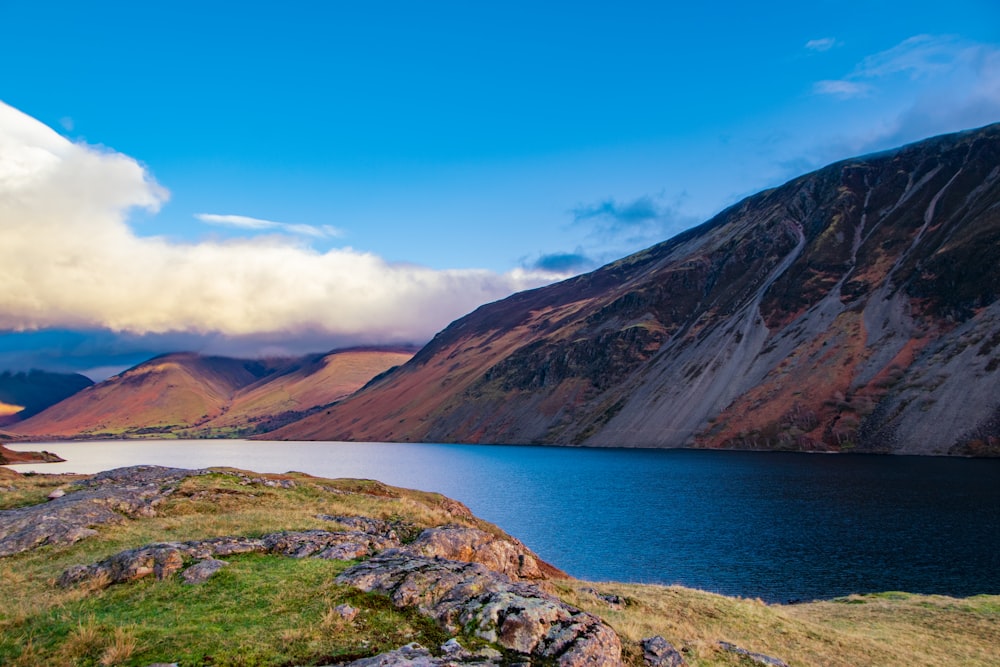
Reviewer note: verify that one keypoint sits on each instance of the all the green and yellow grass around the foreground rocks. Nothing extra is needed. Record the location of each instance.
(274, 611)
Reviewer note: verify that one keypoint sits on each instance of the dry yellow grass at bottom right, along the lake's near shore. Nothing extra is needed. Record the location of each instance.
(884, 630)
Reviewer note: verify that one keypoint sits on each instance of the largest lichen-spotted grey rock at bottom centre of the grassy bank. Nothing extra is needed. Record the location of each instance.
(469, 597)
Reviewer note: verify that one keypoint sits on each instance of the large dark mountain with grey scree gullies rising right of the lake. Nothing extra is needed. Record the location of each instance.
(851, 309)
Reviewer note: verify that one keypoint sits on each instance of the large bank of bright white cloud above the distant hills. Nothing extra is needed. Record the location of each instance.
(69, 259)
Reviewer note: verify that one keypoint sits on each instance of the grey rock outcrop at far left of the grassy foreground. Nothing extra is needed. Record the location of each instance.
(105, 498)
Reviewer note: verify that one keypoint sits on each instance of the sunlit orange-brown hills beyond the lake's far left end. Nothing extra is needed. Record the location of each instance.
(191, 395)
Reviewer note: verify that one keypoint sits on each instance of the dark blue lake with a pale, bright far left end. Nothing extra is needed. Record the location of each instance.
(777, 526)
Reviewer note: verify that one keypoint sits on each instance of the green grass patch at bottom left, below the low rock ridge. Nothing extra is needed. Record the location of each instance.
(261, 610)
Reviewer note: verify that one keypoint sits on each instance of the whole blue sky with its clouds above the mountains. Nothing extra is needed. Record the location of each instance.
(427, 157)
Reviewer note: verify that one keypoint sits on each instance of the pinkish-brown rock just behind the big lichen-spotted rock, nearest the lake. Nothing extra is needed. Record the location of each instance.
(471, 545)
